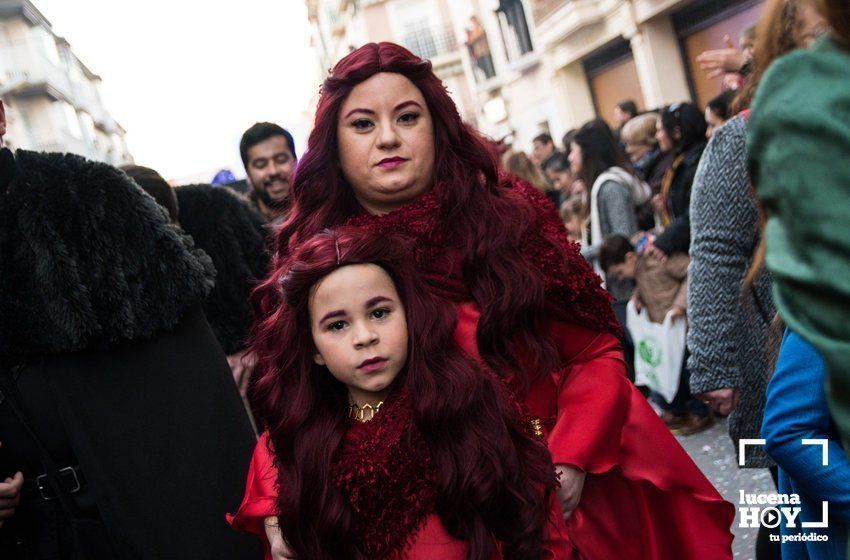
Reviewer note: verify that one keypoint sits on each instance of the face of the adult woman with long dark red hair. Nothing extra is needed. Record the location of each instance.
(385, 137)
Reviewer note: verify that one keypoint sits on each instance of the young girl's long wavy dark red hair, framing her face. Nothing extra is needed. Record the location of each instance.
(490, 475)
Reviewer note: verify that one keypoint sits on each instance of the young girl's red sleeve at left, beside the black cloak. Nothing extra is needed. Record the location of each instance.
(260, 499)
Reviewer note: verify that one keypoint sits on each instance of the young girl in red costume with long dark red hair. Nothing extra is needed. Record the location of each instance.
(384, 439)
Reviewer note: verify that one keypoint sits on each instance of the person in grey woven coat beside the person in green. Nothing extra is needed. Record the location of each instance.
(728, 322)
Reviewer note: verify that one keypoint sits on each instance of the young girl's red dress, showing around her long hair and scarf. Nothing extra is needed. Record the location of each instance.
(432, 541)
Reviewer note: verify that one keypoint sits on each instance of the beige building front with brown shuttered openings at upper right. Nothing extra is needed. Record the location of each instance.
(599, 52)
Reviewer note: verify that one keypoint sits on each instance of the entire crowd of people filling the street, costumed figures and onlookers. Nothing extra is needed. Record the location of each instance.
(437, 339)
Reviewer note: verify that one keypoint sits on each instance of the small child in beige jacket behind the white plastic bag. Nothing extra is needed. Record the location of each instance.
(661, 287)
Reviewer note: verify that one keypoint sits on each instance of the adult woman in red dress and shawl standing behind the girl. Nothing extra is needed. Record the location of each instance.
(390, 154)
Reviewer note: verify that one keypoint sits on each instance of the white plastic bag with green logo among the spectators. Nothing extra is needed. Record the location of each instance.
(659, 351)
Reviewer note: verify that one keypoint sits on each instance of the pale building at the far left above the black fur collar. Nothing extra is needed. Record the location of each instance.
(52, 99)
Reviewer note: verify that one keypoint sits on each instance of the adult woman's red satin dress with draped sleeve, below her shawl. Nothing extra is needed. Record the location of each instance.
(640, 481)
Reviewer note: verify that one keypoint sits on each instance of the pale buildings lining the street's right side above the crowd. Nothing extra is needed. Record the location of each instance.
(517, 68)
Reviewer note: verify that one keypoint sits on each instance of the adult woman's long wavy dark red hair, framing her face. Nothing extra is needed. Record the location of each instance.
(479, 209)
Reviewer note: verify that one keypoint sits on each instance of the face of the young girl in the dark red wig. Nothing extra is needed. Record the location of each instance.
(359, 330)
